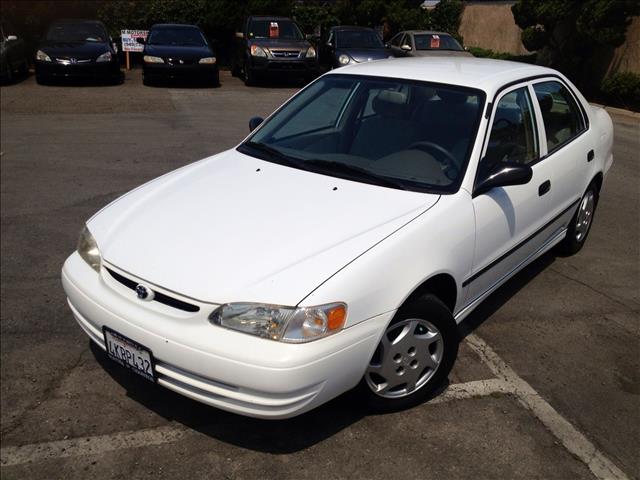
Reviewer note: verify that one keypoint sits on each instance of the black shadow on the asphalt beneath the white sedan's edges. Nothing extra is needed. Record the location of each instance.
(298, 433)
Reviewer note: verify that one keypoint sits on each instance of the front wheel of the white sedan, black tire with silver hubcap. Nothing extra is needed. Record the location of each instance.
(414, 357)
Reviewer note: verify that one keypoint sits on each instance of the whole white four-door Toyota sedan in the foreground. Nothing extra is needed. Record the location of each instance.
(342, 242)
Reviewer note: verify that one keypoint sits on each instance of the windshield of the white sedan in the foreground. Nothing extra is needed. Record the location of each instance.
(397, 133)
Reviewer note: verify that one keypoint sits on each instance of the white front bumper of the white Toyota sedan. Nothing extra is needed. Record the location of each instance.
(222, 368)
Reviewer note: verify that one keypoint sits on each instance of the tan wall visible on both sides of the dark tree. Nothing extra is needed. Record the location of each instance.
(491, 25)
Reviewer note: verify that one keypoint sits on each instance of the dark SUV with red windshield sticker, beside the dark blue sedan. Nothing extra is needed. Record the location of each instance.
(272, 46)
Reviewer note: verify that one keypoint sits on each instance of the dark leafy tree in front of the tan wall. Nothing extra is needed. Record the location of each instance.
(576, 37)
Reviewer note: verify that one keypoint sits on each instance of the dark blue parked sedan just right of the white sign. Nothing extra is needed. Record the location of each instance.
(178, 52)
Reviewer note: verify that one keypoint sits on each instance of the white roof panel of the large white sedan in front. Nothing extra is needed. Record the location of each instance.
(481, 73)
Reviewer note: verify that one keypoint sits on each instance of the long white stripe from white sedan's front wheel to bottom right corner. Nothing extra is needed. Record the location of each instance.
(571, 438)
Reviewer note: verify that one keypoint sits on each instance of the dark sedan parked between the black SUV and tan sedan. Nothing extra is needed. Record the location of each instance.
(347, 45)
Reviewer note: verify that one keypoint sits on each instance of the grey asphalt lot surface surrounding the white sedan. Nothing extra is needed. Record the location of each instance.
(547, 384)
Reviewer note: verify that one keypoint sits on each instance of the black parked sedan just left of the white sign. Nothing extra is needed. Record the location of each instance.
(77, 49)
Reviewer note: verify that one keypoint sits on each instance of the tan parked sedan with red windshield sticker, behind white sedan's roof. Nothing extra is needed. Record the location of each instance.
(419, 43)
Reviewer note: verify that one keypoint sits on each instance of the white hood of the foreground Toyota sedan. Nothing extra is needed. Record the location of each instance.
(235, 228)
